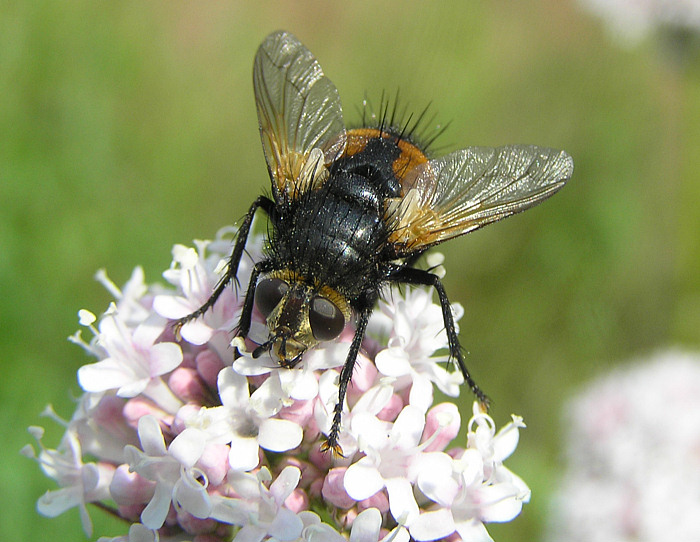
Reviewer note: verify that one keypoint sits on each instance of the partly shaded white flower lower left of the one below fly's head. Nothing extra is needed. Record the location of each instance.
(172, 469)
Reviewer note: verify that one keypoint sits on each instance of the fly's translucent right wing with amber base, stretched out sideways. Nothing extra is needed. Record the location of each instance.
(468, 189)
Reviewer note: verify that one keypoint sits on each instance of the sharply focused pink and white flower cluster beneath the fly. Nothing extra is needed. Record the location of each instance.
(185, 443)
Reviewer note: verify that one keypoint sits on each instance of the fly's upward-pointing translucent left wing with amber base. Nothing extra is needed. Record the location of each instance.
(299, 110)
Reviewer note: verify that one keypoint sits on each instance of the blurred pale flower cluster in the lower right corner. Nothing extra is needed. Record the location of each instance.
(633, 456)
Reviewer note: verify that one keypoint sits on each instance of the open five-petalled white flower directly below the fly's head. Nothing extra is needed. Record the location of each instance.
(246, 421)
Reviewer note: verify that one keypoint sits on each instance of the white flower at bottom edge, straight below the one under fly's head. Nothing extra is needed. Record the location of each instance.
(259, 510)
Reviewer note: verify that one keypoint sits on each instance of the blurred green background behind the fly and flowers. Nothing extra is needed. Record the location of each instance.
(126, 127)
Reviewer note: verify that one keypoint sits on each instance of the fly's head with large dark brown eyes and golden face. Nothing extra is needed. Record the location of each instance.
(299, 313)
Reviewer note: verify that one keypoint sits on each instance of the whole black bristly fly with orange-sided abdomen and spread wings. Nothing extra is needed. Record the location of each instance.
(351, 210)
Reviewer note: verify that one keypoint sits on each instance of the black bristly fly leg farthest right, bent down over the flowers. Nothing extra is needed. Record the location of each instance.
(410, 275)
